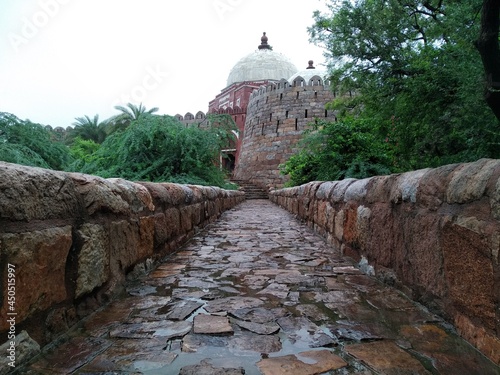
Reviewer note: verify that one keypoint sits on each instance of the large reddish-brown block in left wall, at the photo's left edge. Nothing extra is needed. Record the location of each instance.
(39, 258)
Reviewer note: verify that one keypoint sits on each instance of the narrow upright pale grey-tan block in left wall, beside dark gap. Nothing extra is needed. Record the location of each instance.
(93, 259)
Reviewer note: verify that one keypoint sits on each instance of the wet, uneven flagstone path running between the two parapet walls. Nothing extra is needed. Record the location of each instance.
(260, 293)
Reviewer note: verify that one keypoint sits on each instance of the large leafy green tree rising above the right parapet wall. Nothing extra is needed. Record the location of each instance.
(416, 75)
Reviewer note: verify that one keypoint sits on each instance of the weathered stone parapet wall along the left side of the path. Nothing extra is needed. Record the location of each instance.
(73, 238)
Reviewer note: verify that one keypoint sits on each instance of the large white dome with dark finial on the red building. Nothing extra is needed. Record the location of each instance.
(263, 64)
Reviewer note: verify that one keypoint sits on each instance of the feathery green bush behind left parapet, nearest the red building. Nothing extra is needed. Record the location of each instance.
(160, 148)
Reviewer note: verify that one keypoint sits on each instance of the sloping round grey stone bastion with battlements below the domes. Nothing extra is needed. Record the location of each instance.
(277, 116)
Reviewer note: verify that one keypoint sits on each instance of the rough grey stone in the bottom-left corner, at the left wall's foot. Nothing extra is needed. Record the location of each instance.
(25, 349)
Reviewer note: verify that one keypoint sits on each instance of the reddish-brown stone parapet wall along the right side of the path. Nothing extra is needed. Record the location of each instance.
(434, 233)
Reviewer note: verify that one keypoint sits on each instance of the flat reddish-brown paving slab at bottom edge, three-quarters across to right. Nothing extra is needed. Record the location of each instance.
(386, 358)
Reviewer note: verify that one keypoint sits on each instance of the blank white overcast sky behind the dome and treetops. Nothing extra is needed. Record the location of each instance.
(61, 59)
